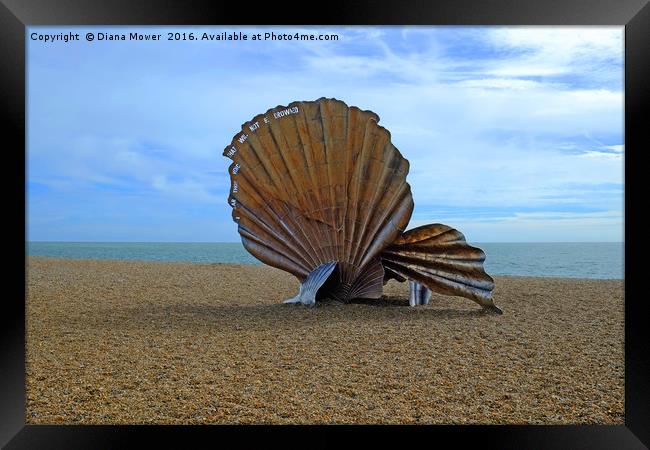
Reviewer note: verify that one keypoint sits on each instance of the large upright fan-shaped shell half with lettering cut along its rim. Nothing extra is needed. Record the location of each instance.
(315, 182)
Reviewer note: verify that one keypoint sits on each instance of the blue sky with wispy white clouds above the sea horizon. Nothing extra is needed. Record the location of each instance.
(513, 134)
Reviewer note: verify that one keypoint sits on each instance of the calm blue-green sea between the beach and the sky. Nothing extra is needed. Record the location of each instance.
(568, 260)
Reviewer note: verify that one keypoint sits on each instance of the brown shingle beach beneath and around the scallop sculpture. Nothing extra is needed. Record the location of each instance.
(144, 342)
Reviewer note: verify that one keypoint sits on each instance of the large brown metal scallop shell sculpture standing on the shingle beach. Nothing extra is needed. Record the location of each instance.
(319, 190)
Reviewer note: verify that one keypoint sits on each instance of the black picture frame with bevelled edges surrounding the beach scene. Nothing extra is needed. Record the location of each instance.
(16, 15)
